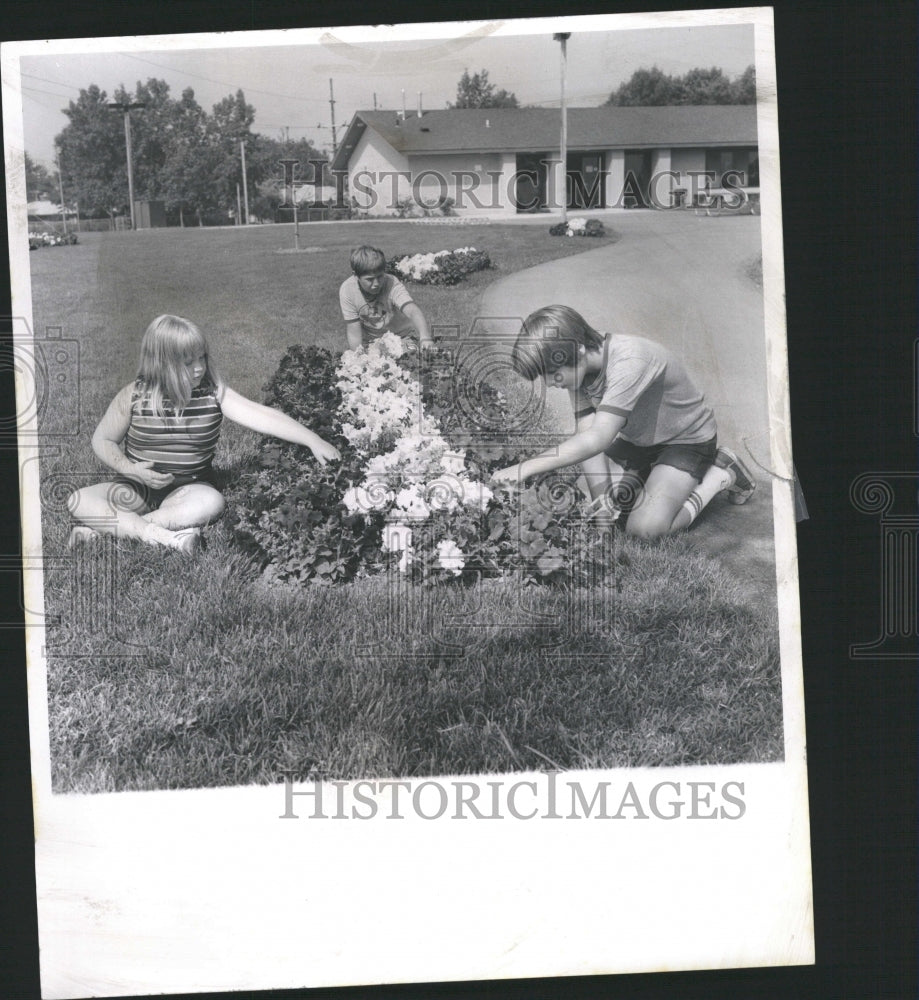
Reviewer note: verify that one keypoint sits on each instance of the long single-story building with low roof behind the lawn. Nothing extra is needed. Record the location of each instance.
(500, 161)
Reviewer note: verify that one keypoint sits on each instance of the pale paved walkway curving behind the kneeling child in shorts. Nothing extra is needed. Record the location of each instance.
(680, 279)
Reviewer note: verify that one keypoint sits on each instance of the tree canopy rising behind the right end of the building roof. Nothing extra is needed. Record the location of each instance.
(648, 87)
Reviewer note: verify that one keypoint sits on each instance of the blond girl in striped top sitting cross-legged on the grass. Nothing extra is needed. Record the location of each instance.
(169, 421)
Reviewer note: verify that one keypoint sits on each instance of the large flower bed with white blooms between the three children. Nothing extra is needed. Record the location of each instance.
(411, 493)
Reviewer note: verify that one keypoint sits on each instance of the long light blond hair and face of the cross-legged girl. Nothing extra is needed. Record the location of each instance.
(168, 344)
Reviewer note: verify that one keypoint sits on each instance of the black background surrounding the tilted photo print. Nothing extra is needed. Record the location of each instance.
(847, 121)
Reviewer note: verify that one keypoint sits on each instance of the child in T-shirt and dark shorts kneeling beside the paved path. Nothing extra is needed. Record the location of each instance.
(644, 431)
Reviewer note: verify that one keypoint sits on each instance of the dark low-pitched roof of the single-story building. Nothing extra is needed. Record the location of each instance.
(537, 129)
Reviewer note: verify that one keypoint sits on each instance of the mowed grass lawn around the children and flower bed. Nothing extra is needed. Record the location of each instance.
(169, 673)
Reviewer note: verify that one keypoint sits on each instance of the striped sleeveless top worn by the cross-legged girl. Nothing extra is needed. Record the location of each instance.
(183, 446)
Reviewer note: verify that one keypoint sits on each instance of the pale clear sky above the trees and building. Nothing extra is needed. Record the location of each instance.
(288, 84)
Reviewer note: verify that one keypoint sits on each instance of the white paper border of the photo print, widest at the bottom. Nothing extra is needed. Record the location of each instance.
(210, 890)
